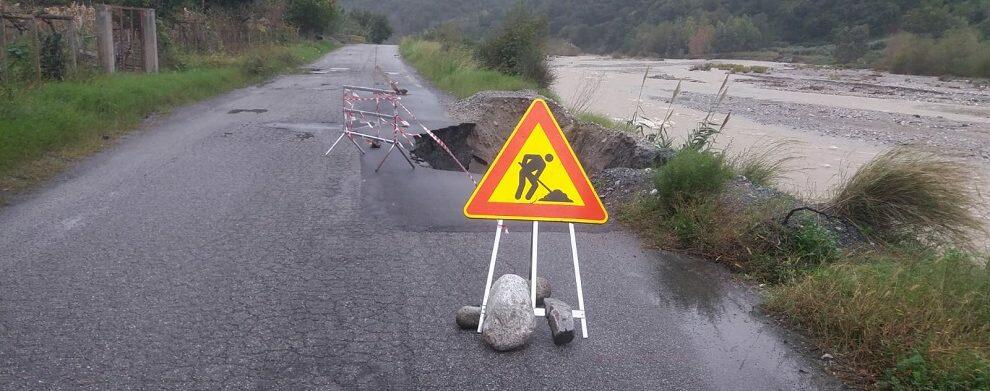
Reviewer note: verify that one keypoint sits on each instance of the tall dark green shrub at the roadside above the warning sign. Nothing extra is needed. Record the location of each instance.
(519, 47)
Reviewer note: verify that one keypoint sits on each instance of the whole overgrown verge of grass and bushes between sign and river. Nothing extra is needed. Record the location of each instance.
(907, 312)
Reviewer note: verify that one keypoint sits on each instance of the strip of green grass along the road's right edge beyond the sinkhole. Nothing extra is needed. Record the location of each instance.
(455, 70)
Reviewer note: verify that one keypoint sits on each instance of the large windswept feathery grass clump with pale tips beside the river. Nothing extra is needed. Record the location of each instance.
(906, 194)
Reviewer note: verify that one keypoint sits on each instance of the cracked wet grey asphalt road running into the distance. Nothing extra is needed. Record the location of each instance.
(218, 250)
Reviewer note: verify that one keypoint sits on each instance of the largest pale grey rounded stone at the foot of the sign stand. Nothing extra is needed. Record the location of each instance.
(509, 319)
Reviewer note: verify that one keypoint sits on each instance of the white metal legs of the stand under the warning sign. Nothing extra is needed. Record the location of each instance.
(576, 314)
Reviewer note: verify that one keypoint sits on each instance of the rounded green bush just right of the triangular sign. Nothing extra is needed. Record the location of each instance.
(691, 176)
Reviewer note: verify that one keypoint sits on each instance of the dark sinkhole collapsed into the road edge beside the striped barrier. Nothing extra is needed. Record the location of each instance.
(456, 139)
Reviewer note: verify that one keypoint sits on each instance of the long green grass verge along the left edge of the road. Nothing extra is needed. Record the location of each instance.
(47, 126)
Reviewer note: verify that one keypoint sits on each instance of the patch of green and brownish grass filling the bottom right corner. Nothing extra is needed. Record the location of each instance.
(910, 319)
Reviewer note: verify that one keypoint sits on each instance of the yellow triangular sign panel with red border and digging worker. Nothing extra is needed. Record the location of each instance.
(536, 176)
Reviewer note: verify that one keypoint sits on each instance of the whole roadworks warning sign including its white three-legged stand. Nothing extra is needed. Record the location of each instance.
(539, 147)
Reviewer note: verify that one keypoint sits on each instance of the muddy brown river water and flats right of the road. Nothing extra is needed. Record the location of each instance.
(832, 121)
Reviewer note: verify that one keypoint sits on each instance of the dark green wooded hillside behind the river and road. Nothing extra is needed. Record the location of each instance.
(682, 27)
